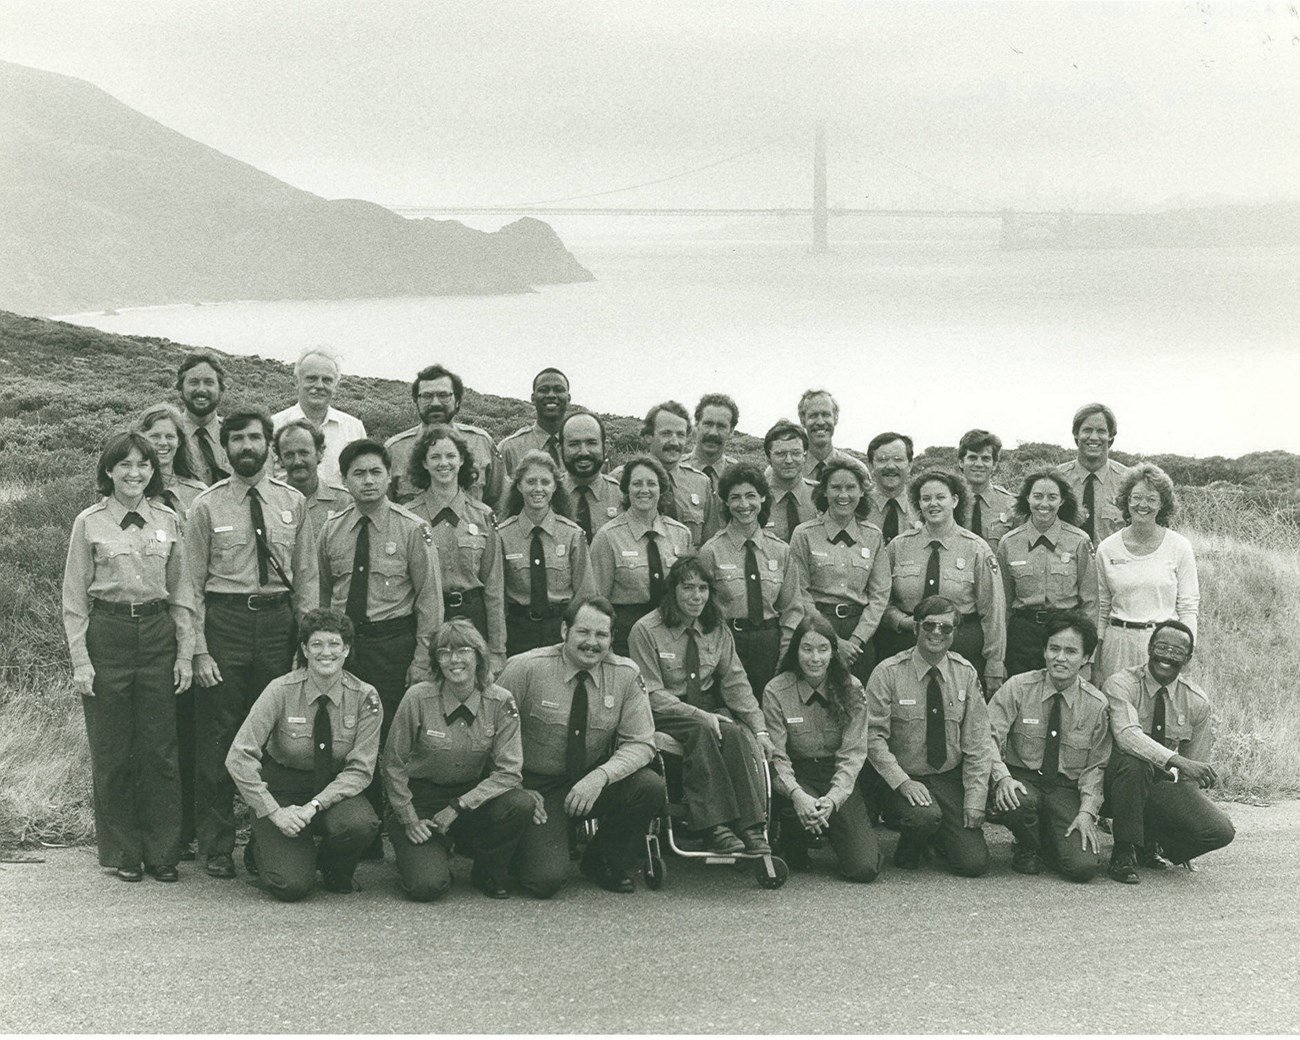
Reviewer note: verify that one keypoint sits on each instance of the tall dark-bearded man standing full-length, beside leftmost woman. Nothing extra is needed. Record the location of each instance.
(253, 564)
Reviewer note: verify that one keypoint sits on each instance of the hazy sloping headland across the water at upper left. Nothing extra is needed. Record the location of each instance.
(105, 207)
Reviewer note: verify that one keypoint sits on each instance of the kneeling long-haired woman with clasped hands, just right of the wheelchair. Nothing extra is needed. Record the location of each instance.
(817, 714)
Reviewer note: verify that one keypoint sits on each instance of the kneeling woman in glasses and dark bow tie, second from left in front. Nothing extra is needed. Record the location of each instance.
(453, 770)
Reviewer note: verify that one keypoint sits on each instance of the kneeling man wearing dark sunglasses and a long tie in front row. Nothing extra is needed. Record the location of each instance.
(929, 744)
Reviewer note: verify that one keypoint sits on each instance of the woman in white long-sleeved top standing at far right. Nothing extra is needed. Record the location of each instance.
(1146, 573)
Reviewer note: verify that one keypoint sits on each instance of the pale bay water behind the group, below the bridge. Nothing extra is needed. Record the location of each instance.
(920, 326)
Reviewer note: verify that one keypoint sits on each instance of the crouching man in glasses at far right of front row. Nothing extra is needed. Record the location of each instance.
(1162, 722)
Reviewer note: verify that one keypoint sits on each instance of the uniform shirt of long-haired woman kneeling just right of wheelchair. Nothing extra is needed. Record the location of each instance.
(803, 727)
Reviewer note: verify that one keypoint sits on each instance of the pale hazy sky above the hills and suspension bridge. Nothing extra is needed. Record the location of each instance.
(960, 105)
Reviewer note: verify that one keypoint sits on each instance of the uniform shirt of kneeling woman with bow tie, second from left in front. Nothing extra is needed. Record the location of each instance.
(426, 744)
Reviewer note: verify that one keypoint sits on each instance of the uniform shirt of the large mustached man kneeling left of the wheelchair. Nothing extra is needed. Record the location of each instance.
(619, 733)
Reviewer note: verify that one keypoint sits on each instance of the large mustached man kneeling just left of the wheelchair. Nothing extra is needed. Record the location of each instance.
(588, 743)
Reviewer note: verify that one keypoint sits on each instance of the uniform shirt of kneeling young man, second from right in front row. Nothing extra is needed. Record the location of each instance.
(1020, 713)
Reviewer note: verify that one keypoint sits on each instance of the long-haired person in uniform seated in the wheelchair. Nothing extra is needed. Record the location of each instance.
(697, 692)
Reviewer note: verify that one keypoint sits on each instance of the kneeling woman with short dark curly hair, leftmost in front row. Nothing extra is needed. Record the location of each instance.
(302, 762)
